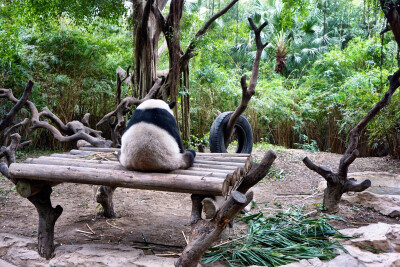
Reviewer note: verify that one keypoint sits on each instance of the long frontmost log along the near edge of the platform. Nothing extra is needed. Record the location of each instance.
(117, 178)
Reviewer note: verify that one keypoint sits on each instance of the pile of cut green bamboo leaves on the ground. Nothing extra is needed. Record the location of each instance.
(279, 240)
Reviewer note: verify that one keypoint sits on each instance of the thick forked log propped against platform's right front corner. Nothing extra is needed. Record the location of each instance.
(204, 232)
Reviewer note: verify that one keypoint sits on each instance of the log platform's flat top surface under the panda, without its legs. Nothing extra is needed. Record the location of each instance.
(212, 173)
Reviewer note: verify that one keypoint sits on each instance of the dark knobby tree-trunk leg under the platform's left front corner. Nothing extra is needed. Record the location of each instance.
(47, 219)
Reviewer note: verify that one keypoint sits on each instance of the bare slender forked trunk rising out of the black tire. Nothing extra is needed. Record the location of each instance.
(247, 91)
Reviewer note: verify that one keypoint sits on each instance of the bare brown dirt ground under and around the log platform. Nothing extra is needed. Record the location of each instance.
(158, 221)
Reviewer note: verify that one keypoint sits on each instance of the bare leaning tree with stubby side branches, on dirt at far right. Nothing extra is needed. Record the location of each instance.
(338, 183)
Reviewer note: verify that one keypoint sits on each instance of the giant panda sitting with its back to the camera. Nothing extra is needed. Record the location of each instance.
(151, 140)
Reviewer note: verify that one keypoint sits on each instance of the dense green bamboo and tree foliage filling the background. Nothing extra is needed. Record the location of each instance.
(333, 66)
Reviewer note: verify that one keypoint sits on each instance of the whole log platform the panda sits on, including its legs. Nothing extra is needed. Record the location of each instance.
(212, 175)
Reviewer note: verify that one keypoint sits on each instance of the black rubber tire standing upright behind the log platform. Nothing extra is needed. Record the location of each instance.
(242, 129)
